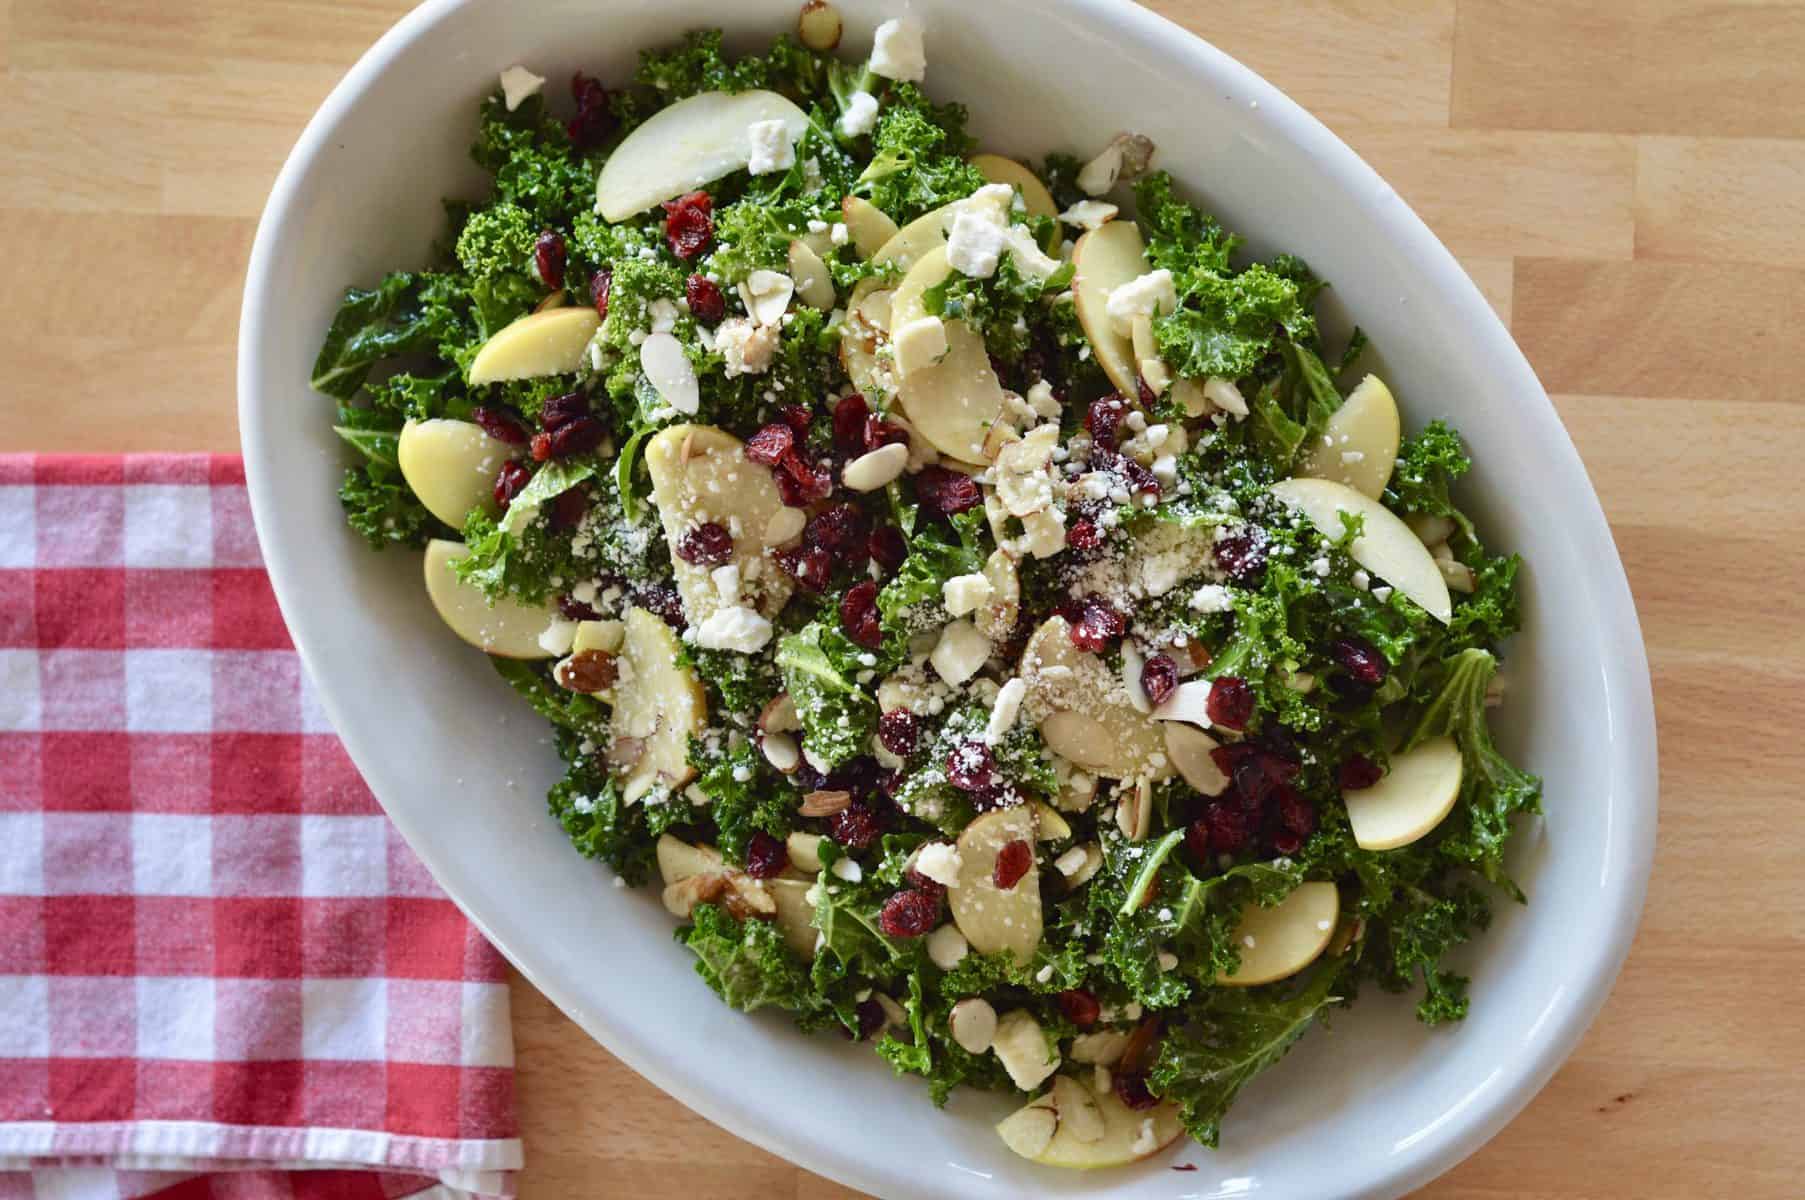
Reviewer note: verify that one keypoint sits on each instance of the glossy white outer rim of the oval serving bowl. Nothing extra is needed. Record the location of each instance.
(1470, 1122)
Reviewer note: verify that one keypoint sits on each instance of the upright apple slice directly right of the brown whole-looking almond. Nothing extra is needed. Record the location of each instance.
(658, 708)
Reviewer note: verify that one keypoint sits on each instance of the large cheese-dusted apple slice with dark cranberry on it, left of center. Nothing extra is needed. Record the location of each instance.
(701, 474)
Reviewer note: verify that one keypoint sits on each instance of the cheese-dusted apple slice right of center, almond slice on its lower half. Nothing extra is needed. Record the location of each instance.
(1088, 715)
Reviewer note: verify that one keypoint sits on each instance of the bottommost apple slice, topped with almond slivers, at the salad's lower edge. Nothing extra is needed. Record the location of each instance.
(1089, 1129)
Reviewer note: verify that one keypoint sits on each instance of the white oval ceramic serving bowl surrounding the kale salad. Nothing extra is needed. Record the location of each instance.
(1375, 1107)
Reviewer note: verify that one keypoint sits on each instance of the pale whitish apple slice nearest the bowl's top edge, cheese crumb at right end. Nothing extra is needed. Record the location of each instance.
(689, 145)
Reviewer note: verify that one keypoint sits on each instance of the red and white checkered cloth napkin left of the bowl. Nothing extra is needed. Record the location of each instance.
(223, 974)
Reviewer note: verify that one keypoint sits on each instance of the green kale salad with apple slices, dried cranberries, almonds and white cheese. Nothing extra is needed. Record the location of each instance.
(972, 593)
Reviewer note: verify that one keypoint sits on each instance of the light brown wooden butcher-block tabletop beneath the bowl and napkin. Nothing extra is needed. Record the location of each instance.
(1625, 181)
